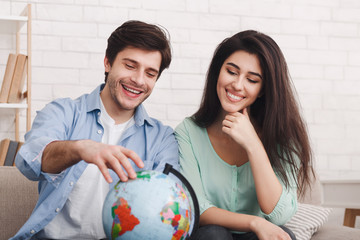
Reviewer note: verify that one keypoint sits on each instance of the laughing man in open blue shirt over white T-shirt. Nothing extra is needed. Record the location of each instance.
(73, 143)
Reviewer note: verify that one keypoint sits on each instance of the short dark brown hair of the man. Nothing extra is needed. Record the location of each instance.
(140, 35)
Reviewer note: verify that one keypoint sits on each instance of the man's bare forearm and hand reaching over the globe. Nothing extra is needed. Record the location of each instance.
(59, 155)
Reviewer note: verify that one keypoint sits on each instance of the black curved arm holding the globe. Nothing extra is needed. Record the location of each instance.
(169, 169)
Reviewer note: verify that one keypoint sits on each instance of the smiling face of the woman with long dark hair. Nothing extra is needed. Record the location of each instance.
(240, 81)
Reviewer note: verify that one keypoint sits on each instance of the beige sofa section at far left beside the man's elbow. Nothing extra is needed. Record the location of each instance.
(17, 200)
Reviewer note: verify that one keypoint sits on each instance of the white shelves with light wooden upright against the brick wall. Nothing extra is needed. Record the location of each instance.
(13, 25)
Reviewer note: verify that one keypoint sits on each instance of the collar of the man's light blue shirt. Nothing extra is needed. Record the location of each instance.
(93, 104)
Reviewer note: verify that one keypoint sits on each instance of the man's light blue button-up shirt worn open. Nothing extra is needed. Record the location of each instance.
(67, 119)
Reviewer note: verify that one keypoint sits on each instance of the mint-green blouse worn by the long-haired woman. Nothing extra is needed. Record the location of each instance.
(218, 184)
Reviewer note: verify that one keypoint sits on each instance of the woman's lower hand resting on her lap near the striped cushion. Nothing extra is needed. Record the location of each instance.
(266, 230)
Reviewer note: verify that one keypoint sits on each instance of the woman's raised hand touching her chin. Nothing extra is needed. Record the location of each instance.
(239, 127)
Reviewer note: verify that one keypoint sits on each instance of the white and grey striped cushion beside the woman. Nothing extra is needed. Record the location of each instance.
(307, 220)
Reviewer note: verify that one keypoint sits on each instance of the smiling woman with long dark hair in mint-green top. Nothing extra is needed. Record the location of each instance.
(246, 151)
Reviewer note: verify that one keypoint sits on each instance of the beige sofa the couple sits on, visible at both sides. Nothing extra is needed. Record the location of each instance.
(18, 197)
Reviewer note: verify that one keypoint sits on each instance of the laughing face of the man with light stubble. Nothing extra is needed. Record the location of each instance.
(131, 77)
